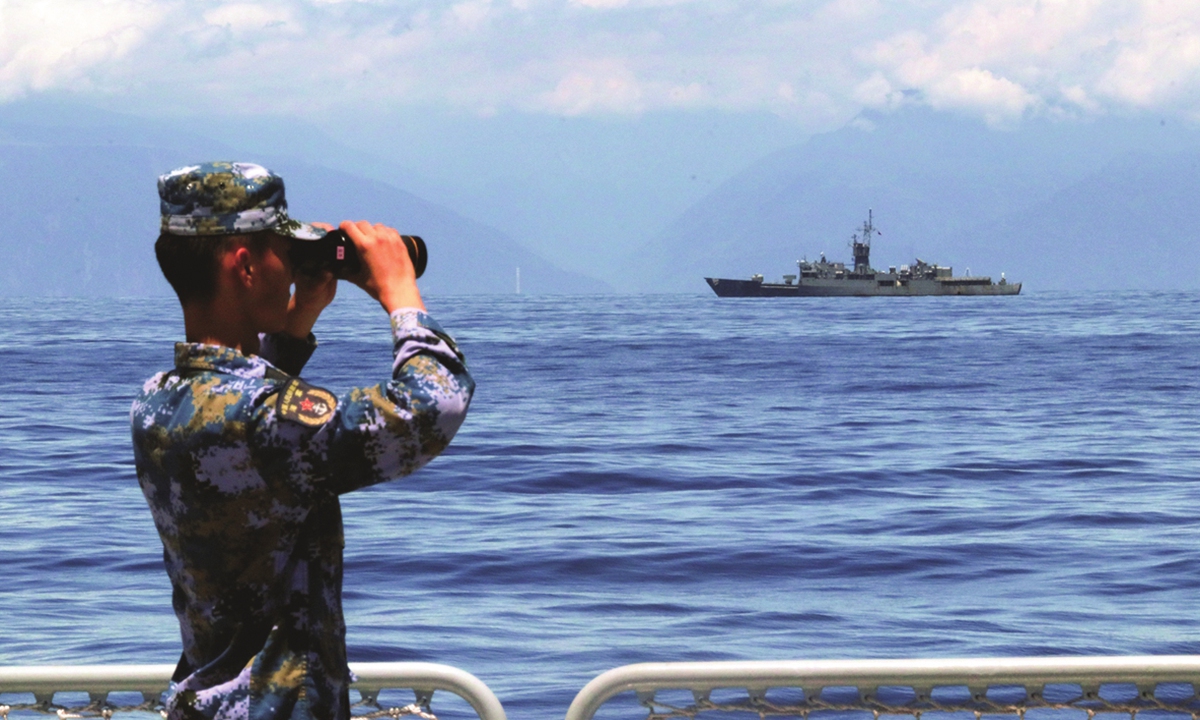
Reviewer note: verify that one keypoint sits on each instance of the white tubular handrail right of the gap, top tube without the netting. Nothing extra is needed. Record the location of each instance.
(974, 673)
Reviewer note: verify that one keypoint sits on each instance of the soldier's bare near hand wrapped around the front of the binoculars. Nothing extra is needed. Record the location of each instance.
(388, 273)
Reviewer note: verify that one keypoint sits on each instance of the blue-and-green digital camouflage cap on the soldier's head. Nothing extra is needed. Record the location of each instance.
(227, 199)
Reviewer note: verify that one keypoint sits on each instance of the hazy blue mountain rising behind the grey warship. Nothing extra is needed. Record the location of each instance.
(1065, 206)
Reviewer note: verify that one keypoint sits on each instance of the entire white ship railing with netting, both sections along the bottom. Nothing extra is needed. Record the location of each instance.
(983, 686)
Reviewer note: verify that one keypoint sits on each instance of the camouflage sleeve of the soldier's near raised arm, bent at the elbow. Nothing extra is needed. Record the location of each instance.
(386, 431)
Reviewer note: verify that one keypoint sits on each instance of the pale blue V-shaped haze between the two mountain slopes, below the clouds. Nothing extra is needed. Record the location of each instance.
(584, 191)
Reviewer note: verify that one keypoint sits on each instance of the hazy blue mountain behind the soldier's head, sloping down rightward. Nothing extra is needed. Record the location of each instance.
(80, 212)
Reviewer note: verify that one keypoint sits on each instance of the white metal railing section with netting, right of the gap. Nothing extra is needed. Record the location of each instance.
(985, 686)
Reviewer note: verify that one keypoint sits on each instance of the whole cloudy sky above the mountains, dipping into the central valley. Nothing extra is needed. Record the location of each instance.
(527, 115)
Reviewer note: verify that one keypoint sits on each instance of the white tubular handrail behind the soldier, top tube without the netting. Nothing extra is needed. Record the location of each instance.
(153, 680)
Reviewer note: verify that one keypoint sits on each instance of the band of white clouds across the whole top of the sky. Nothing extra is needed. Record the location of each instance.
(820, 63)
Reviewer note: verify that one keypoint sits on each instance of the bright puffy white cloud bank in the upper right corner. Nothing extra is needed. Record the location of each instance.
(1004, 58)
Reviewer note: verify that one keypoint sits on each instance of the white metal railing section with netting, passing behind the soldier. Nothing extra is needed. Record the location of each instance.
(152, 681)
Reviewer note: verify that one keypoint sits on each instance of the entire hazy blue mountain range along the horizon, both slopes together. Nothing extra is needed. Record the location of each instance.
(1057, 205)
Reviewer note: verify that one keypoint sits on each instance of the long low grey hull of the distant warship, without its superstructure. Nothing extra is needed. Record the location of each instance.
(820, 287)
